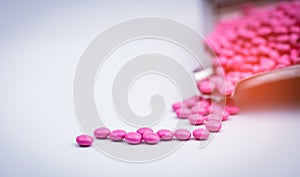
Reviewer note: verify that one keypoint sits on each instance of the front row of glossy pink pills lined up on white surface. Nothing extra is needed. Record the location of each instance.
(142, 134)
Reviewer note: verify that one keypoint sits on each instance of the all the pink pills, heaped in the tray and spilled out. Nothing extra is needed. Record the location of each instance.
(259, 40)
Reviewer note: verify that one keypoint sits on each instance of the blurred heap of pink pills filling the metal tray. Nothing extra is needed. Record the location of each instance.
(259, 40)
